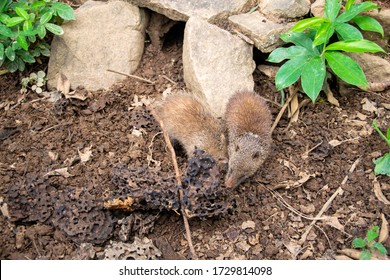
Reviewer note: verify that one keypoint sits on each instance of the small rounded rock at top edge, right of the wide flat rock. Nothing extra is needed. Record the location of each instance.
(285, 8)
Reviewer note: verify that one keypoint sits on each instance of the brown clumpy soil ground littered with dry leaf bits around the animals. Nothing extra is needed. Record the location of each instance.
(62, 162)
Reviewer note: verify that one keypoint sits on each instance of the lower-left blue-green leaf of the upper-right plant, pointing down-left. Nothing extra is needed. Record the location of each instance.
(290, 72)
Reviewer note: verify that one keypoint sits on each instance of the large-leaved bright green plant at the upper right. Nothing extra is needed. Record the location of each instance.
(318, 45)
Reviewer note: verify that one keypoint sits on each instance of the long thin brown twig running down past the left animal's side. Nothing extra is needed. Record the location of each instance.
(177, 174)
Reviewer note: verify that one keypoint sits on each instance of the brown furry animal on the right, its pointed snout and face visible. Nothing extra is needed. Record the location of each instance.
(248, 121)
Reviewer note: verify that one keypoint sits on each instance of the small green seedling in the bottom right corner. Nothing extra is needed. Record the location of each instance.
(368, 244)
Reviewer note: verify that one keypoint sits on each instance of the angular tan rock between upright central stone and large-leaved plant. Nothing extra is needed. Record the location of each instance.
(262, 31)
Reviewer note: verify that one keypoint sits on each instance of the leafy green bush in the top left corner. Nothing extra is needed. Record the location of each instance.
(23, 29)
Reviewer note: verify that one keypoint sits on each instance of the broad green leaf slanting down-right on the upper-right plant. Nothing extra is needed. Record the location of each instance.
(346, 68)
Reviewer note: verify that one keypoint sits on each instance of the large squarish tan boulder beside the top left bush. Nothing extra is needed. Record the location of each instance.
(105, 35)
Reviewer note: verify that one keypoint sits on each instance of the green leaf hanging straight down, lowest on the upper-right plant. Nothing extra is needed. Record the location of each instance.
(313, 77)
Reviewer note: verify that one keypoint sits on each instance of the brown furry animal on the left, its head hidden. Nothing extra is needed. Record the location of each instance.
(191, 122)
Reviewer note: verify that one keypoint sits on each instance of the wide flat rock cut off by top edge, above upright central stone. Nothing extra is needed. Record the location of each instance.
(181, 10)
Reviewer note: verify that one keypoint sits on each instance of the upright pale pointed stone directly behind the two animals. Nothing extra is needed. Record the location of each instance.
(215, 63)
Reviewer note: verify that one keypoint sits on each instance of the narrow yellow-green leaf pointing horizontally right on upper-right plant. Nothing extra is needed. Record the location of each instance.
(355, 46)
